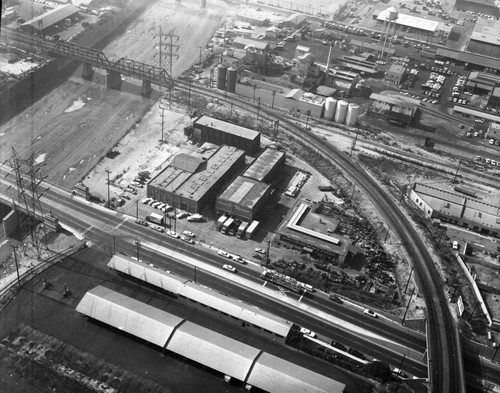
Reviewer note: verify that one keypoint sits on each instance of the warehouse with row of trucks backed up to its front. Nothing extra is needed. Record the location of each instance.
(243, 198)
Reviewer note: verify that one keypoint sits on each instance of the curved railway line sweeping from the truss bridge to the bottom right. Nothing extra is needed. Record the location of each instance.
(445, 360)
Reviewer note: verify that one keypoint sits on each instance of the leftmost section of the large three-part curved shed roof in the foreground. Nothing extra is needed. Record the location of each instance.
(127, 314)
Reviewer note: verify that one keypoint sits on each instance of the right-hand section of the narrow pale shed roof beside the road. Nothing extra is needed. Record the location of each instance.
(237, 308)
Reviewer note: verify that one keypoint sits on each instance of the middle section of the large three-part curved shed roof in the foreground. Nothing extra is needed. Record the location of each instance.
(210, 348)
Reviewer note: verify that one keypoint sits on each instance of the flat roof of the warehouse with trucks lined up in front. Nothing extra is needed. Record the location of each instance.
(244, 191)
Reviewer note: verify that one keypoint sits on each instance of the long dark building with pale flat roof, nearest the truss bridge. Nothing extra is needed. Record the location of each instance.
(208, 129)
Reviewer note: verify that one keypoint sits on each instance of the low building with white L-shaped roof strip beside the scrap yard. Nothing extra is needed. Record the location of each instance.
(313, 233)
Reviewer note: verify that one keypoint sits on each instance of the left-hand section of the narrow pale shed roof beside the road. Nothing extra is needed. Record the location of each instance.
(150, 274)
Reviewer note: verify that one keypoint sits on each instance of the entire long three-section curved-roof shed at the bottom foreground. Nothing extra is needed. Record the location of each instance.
(232, 358)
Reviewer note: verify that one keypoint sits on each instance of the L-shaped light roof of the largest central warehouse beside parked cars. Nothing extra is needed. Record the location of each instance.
(195, 185)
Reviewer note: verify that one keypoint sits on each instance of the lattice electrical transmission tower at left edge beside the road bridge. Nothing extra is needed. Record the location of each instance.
(28, 179)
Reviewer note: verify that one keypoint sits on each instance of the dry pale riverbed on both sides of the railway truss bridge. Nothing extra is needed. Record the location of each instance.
(71, 128)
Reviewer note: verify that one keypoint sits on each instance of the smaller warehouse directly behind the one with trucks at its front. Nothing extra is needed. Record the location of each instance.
(267, 166)
